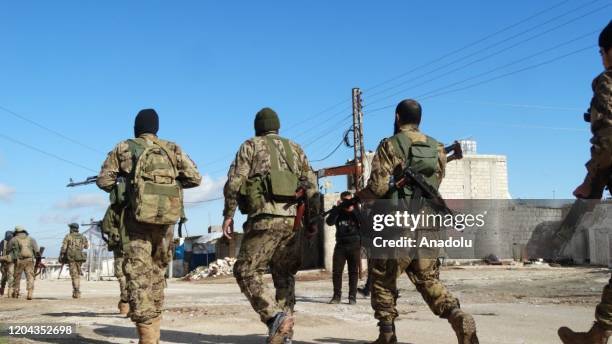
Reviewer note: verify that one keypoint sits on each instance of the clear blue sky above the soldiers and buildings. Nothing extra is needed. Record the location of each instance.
(83, 70)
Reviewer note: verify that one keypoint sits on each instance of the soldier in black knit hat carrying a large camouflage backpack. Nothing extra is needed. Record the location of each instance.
(154, 173)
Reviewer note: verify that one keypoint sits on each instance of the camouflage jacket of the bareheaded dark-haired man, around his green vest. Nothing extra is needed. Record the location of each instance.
(388, 163)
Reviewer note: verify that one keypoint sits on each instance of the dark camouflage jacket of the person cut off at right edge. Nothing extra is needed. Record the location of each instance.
(601, 127)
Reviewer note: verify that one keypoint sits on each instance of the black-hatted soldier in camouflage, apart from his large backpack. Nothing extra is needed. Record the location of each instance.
(148, 249)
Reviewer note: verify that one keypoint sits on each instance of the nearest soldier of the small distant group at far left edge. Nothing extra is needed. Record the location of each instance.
(24, 250)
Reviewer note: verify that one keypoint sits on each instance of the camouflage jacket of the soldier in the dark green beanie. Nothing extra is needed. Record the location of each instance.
(253, 158)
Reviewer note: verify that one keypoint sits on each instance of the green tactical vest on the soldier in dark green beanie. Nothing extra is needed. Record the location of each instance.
(277, 185)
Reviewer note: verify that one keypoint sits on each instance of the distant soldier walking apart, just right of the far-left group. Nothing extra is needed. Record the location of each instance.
(73, 255)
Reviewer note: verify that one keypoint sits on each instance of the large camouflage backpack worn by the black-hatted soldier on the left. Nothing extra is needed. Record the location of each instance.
(155, 197)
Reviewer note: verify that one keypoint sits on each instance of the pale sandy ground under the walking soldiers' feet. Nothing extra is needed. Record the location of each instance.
(512, 305)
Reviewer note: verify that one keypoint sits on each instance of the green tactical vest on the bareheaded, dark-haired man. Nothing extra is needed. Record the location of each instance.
(422, 157)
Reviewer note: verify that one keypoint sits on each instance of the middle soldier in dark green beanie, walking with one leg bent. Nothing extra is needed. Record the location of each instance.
(262, 182)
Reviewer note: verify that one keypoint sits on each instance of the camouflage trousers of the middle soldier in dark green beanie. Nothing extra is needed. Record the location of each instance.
(269, 243)
